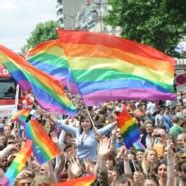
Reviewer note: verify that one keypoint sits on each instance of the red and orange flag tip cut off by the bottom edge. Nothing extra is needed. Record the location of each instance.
(83, 181)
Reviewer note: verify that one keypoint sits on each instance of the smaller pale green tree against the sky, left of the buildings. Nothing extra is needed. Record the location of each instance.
(42, 32)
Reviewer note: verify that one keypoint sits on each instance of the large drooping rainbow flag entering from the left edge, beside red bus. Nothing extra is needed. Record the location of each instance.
(47, 91)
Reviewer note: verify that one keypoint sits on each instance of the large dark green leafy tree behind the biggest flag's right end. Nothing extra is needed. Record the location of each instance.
(159, 23)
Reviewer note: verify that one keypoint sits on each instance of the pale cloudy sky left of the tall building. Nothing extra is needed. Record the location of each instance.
(18, 19)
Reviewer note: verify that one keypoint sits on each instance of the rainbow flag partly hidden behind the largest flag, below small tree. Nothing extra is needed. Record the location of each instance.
(49, 57)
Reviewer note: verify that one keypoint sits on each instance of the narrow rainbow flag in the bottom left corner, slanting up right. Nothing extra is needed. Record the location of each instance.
(19, 162)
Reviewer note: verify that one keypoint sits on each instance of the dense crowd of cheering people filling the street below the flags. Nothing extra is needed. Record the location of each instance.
(91, 144)
